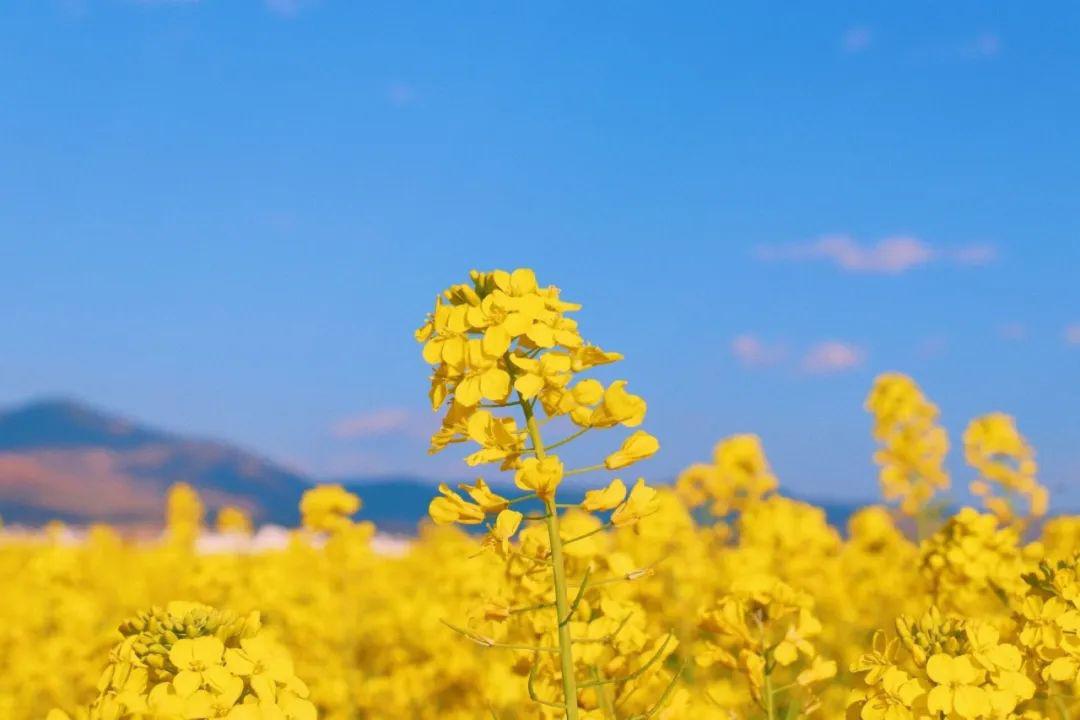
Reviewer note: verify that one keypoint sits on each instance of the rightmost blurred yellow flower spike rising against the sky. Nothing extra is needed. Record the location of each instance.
(1006, 465)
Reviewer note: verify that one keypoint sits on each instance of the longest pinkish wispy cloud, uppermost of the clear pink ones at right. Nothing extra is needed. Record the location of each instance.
(890, 256)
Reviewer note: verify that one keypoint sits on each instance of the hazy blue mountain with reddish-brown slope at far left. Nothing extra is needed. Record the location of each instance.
(61, 459)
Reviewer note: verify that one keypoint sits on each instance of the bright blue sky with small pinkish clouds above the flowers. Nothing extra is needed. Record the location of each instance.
(226, 218)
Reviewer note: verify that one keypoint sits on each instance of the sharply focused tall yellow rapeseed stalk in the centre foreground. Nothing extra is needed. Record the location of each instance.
(503, 348)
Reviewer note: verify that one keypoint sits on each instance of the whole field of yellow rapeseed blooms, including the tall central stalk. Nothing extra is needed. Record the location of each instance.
(717, 599)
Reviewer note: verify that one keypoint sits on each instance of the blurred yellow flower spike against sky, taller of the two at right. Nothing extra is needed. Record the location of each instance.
(913, 445)
